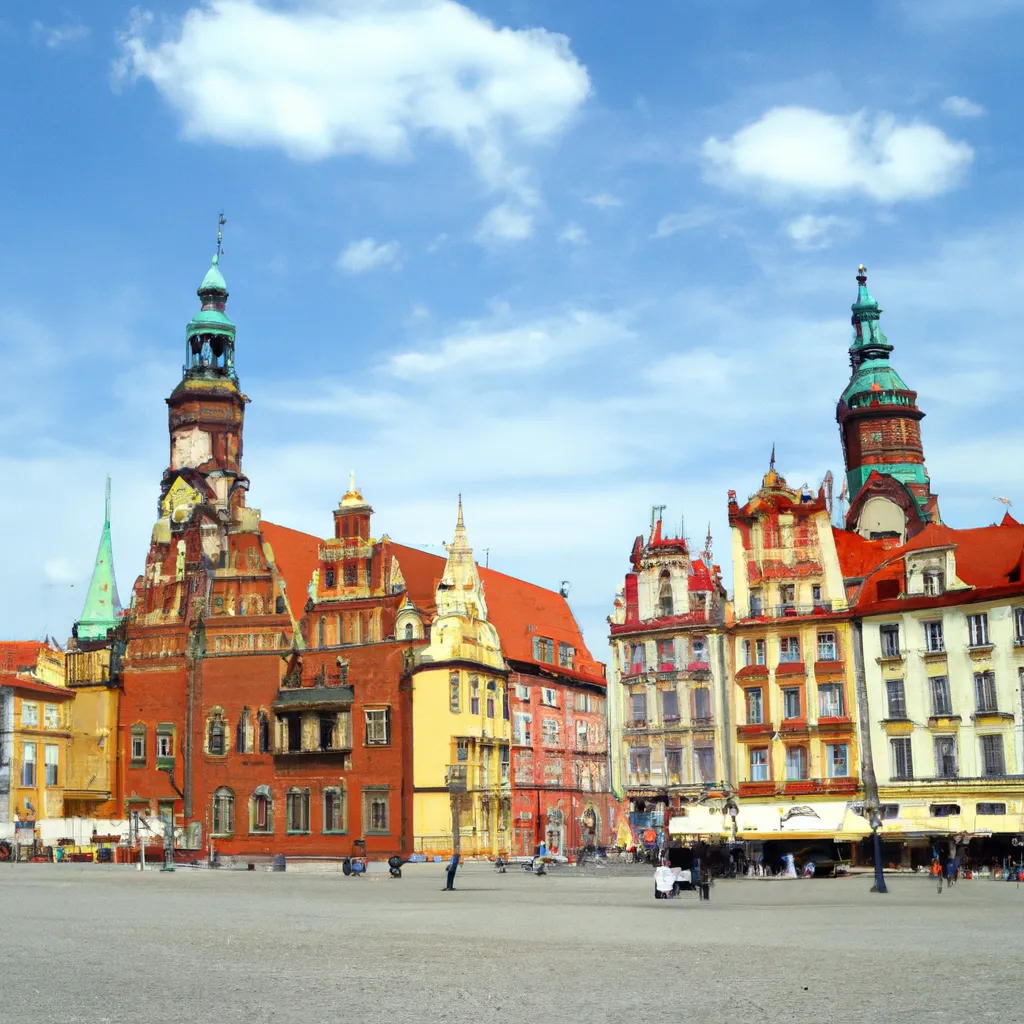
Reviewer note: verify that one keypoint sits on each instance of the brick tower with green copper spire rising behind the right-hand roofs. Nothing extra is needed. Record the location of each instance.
(880, 428)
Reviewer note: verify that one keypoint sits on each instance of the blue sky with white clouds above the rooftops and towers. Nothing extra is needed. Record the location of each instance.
(571, 259)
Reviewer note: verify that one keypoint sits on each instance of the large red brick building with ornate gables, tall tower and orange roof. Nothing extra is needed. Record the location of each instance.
(266, 704)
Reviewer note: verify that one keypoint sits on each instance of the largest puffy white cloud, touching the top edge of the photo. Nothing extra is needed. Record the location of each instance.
(323, 78)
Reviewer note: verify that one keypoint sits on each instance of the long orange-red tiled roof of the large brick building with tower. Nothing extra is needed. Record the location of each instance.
(515, 606)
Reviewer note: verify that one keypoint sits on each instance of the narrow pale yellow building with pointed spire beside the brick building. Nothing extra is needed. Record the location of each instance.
(460, 719)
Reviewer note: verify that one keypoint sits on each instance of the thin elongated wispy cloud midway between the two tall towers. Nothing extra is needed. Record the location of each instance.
(493, 349)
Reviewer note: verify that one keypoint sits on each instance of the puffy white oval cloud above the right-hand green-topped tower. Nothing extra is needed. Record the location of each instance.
(794, 150)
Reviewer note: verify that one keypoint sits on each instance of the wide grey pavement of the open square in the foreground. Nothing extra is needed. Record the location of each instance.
(93, 944)
